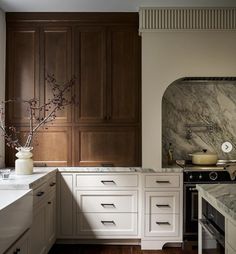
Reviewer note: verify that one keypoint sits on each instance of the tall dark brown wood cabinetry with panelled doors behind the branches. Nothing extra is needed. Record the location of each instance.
(103, 52)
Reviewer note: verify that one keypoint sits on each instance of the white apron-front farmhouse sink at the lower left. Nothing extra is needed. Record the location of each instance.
(15, 215)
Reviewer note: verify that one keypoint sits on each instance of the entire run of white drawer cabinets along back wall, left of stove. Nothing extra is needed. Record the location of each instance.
(121, 206)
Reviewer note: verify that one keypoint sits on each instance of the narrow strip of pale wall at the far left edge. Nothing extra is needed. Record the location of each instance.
(2, 74)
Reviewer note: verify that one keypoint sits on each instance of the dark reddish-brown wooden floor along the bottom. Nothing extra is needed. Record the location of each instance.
(111, 249)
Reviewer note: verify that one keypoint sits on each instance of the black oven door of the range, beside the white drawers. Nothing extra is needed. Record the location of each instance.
(190, 211)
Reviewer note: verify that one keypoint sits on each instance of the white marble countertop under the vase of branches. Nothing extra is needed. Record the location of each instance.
(25, 182)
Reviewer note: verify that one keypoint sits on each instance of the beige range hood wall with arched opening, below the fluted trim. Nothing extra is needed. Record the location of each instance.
(168, 56)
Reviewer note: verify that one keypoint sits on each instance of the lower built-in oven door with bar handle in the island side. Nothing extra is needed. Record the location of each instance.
(212, 241)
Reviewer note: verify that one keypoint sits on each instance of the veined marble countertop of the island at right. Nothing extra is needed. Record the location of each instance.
(222, 196)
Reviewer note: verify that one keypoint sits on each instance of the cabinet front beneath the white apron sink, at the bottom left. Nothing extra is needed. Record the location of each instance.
(21, 246)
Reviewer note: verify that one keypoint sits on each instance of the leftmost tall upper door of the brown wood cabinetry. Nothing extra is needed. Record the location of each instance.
(22, 71)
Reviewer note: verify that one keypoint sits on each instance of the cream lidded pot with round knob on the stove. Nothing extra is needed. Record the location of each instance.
(204, 158)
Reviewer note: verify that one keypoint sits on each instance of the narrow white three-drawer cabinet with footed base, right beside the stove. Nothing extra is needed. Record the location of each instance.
(162, 213)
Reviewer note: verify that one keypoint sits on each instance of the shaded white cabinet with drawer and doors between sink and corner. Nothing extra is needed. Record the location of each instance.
(43, 230)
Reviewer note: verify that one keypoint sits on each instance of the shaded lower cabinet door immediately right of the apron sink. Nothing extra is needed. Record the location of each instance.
(38, 238)
